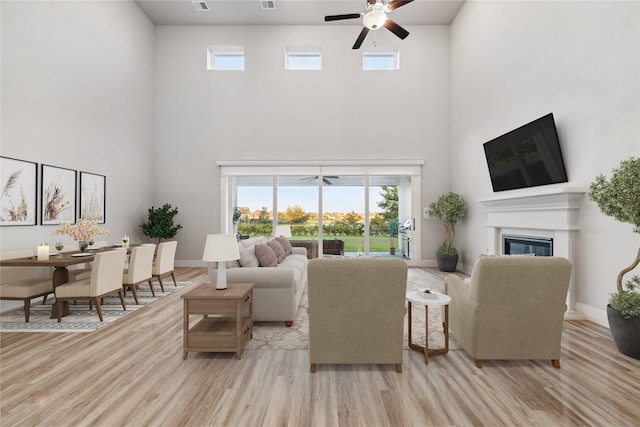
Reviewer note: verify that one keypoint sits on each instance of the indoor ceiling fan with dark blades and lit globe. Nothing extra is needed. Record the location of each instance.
(374, 17)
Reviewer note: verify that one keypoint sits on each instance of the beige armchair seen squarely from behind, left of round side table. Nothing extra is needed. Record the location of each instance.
(356, 310)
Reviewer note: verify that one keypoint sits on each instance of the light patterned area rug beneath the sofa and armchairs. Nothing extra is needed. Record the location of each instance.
(276, 336)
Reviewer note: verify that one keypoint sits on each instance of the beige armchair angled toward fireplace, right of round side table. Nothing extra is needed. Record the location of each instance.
(510, 308)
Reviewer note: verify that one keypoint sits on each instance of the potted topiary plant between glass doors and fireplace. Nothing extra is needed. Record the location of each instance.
(449, 209)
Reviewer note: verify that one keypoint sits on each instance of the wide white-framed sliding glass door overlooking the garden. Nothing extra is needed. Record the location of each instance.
(367, 211)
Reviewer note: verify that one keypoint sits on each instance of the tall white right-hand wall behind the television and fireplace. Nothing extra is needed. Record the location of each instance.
(513, 62)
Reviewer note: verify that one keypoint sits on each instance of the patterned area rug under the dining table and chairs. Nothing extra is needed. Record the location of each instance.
(81, 319)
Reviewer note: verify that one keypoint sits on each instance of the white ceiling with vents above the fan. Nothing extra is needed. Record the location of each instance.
(292, 12)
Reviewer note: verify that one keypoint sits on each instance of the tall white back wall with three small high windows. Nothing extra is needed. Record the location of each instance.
(268, 113)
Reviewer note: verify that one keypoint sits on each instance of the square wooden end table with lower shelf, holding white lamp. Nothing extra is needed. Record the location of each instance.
(227, 318)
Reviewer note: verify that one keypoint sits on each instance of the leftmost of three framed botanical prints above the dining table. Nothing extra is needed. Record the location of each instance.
(18, 202)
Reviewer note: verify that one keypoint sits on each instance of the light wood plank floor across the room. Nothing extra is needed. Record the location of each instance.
(131, 373)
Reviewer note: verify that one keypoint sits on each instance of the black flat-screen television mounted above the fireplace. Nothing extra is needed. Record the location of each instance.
(526, 157)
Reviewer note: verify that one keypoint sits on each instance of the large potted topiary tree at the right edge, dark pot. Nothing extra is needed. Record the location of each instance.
(619, 197)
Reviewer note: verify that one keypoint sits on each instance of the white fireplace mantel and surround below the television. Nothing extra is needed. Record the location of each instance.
(549, 213)
